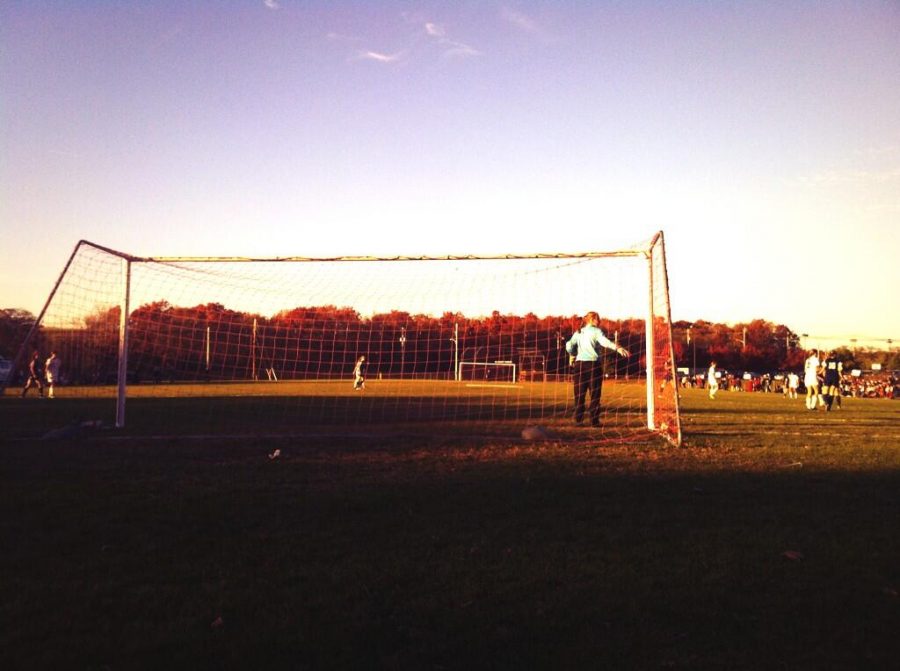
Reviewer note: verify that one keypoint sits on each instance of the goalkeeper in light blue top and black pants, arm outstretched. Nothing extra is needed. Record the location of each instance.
(585, 356)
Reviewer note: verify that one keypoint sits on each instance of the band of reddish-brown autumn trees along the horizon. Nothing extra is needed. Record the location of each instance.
(210, 341)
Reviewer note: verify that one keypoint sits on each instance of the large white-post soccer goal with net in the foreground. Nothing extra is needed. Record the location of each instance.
(252, 345)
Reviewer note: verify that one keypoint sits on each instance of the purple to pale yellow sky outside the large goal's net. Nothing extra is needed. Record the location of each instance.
(763, 138)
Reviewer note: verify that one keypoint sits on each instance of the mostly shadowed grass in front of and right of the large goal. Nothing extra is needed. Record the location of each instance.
(769, 541)
